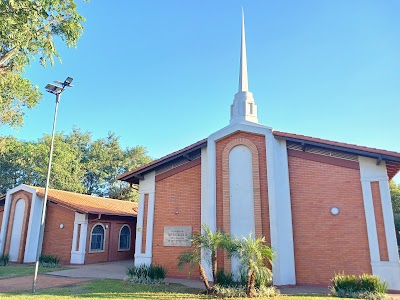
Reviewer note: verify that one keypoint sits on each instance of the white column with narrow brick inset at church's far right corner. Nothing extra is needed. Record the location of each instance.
(388, 271)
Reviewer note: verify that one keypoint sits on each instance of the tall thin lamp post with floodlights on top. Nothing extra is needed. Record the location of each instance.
(56, 90)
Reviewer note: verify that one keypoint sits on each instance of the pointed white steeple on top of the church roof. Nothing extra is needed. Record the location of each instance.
(243, 107)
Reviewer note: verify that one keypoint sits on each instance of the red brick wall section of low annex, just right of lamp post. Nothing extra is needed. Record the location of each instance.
(58, 241)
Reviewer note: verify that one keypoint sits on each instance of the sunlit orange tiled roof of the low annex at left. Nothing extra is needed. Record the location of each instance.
(90, 204)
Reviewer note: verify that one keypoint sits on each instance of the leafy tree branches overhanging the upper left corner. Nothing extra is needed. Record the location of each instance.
(27, 30)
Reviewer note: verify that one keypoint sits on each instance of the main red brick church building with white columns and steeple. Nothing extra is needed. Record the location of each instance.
(323, 206)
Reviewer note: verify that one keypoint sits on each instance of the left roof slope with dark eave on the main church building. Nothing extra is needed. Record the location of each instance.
(130, 175)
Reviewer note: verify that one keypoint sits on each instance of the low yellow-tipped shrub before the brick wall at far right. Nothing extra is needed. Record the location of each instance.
(356, 287)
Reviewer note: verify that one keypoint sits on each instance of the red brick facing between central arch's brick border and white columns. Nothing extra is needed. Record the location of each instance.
(259, 142)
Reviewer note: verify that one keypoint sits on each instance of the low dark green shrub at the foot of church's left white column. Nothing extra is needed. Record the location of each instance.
(146, 274)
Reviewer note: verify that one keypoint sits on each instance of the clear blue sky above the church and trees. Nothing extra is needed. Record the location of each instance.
(163, 73)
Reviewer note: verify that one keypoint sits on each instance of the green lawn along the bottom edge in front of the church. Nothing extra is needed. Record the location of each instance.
(120, 290)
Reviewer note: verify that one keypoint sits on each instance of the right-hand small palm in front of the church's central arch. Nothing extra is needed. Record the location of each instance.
(255, 256)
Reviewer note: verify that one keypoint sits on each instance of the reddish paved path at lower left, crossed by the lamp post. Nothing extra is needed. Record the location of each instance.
(24, 283)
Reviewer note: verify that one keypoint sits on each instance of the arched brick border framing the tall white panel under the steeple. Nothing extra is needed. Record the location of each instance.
(225, 187)
